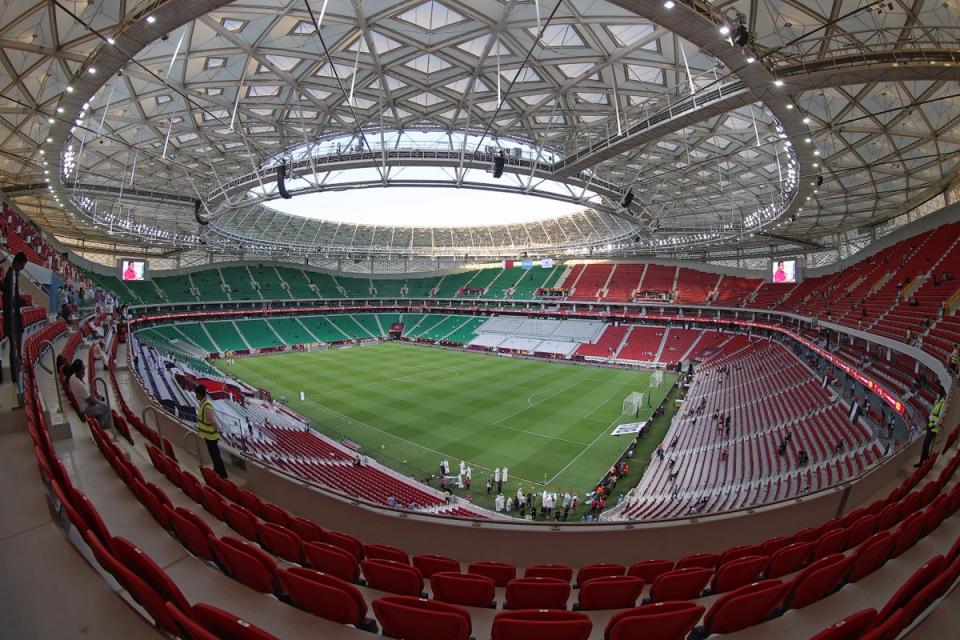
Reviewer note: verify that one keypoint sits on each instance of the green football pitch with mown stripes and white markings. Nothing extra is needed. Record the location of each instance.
(410, 406)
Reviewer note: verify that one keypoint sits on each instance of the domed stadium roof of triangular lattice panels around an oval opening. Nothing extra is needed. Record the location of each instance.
(168, 103)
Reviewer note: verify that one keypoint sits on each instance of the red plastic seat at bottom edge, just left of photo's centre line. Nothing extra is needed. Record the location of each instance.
(413, 618)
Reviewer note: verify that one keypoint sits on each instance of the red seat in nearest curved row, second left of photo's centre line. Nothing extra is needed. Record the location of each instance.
(324, 595)
